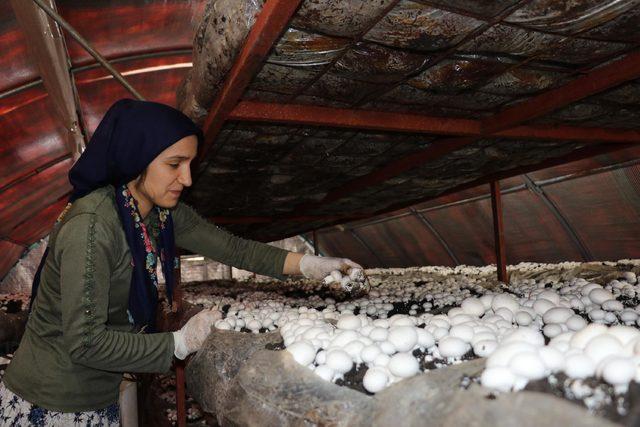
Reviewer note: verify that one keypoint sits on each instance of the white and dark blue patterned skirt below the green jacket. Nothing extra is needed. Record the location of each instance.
(15, 411)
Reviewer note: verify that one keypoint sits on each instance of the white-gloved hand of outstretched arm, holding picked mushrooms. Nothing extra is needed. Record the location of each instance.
(349, 274)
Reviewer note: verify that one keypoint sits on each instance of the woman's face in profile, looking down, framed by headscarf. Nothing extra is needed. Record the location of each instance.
(166, 176)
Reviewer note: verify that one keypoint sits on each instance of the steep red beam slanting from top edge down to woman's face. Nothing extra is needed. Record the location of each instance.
(273, 19)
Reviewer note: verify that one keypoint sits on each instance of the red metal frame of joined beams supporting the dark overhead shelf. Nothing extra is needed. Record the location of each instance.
(273, 20)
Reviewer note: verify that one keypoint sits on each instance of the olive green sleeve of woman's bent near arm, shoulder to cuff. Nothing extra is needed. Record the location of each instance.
(85, 246)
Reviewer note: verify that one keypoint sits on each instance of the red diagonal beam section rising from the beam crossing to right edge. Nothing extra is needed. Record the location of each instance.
(601, 79)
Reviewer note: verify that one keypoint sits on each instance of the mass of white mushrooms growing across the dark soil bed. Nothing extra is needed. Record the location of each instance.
(541, 324)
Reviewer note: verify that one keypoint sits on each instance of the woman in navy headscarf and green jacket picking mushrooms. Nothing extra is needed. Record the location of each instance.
(97, 285)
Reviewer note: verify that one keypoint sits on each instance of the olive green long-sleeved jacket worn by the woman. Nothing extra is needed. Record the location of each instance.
(78, 340)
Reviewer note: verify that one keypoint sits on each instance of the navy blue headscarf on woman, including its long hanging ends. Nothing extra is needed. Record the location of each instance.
(130, 135)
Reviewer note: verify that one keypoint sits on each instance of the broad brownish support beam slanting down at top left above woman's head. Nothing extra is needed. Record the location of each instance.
(46, 44)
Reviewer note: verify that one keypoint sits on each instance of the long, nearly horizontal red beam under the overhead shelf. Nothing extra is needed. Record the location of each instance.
(297, 114)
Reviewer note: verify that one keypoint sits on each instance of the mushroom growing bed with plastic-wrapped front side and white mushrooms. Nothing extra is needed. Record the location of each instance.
(557, 335)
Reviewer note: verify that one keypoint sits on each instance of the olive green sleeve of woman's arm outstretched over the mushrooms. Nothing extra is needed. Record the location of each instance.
(197, 235)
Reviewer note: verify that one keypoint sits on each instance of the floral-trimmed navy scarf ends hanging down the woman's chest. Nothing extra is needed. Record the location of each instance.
(143, 294)
